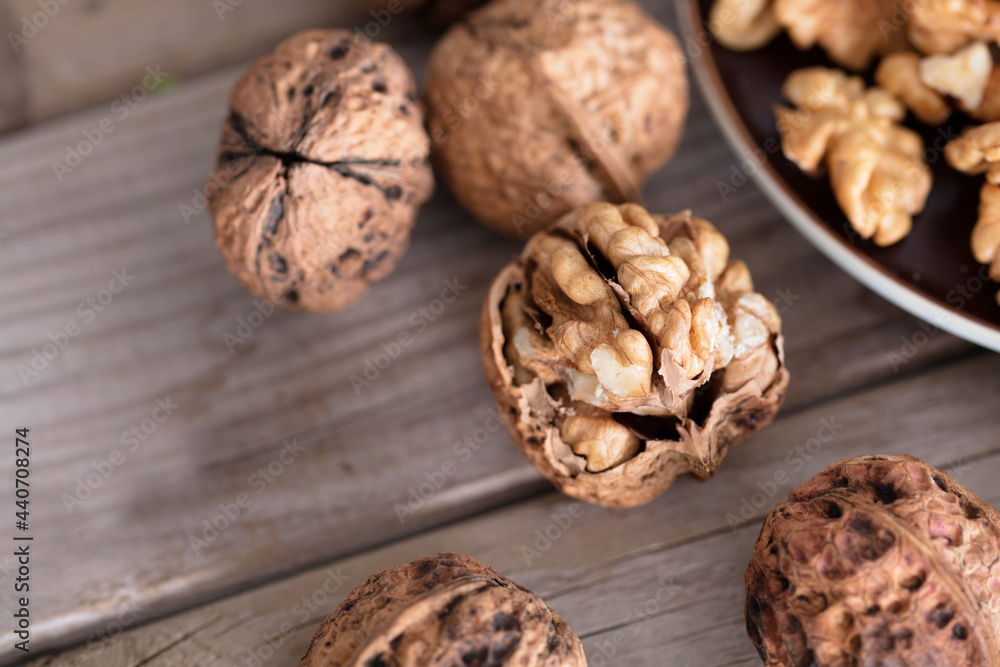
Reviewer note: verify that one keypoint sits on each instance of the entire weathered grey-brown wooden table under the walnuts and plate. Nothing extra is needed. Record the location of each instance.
(127, 567)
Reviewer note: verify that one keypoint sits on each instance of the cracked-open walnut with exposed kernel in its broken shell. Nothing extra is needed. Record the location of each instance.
(626, 349)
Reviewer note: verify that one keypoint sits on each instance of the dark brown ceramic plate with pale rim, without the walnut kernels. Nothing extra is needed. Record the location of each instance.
(931, 273)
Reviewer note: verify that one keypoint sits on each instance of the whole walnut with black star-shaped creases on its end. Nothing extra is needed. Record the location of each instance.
(322, 167)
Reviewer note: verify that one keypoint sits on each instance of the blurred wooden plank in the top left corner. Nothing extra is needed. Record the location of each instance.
(70, 55)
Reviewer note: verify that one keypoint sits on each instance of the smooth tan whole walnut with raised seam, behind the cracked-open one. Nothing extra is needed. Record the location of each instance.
(539, 106)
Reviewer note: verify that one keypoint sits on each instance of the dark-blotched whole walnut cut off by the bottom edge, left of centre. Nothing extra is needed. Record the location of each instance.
(443, 610)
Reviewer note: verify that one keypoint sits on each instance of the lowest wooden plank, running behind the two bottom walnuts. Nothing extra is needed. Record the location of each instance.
(667, 576)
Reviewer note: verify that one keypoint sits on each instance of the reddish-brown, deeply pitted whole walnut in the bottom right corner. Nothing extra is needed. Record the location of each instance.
(878, 560)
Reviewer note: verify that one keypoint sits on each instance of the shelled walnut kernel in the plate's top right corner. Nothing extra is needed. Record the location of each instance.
(944, 26)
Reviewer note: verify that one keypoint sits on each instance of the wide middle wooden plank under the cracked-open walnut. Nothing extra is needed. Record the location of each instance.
(163, 337)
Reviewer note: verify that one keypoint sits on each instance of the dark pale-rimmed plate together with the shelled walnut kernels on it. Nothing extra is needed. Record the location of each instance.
(870, 124)
